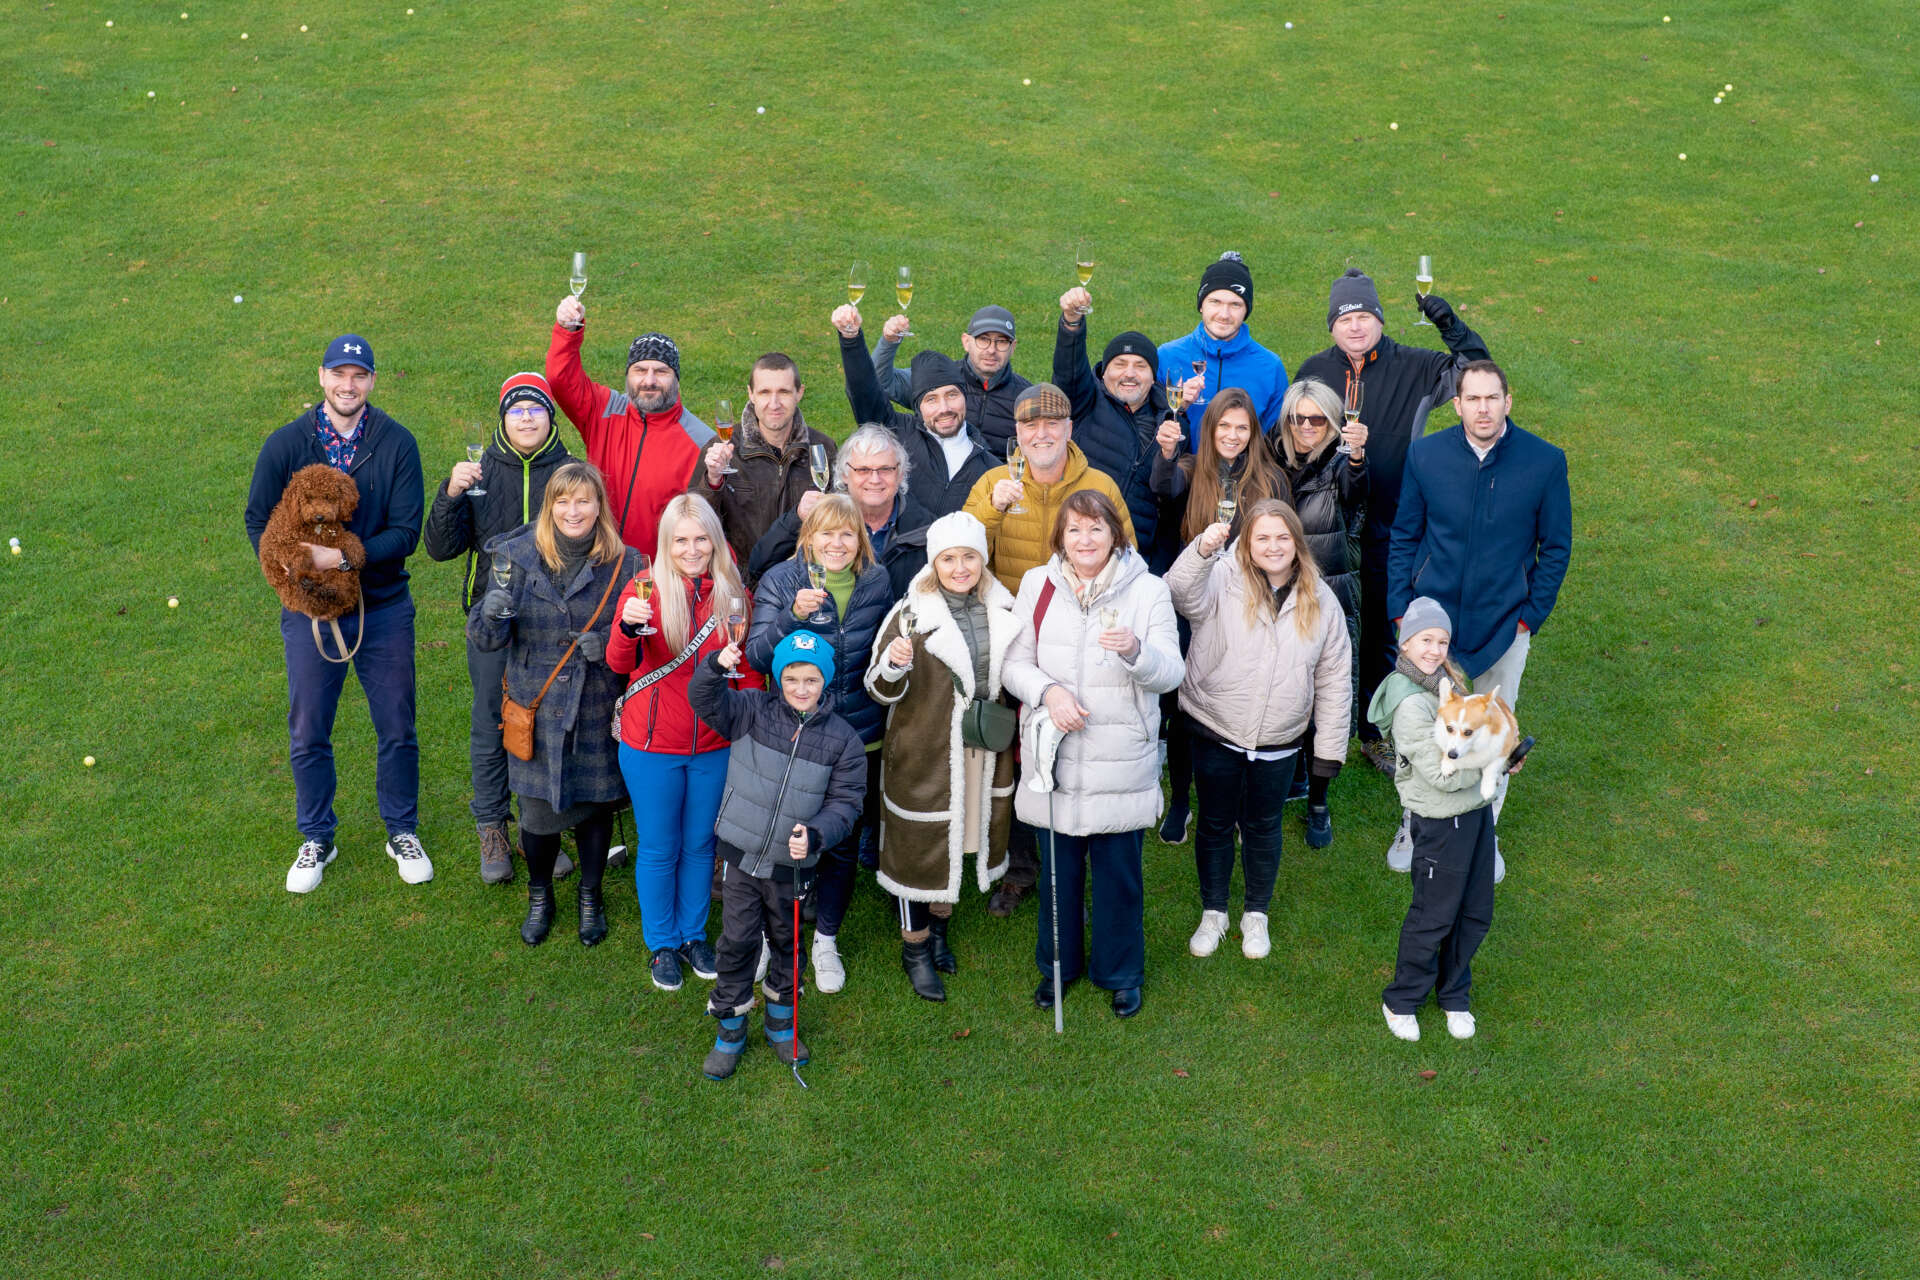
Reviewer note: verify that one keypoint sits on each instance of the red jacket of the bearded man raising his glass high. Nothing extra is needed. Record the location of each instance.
(613, 433)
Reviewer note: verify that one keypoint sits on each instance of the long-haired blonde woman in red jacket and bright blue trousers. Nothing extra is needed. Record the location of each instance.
(675, 765)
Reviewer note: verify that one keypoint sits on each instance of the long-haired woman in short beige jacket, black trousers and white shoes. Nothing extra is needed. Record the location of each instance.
(1270, 655)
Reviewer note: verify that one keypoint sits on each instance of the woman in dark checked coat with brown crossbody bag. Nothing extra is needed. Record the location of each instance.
(552, 607)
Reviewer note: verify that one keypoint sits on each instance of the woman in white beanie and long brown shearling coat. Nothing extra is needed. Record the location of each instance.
(940, 650)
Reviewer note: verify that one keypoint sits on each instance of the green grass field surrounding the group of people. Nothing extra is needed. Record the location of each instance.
(1698, 1007)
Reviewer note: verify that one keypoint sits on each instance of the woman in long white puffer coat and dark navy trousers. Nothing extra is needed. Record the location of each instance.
(1095, 652)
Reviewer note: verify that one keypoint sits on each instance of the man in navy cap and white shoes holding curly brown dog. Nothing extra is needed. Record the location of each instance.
(385, 463)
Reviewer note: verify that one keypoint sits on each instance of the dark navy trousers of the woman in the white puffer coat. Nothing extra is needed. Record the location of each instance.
(1118, 909)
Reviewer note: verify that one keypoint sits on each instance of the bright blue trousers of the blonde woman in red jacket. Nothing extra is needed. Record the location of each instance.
(677, 801)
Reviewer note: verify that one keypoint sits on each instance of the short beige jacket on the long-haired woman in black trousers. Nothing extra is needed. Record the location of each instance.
(1259, 686)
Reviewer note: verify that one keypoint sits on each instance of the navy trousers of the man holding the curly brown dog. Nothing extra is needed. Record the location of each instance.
(385, 669)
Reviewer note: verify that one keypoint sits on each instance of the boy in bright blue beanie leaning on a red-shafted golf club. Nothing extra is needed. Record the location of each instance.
(794, 786)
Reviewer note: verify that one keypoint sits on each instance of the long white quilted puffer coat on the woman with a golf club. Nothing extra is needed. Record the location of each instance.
(1109, 772)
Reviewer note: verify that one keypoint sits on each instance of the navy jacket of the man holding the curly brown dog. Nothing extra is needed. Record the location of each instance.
(387, 471)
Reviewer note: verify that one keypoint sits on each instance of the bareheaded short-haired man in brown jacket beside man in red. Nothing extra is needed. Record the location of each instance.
(769, 458)
